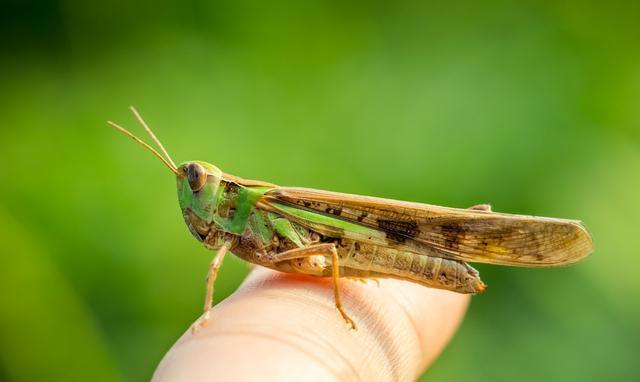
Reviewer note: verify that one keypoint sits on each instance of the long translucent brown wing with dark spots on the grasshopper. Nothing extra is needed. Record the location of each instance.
(463, 234)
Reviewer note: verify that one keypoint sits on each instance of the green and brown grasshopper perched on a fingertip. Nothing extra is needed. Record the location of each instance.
(329, 234)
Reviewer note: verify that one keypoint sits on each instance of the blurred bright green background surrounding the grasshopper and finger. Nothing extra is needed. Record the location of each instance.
(531, 106)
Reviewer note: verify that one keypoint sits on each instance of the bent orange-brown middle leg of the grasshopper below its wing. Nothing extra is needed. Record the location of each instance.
(325, 249)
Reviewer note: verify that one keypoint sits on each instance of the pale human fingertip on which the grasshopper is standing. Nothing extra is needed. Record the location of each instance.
(282, 327)
